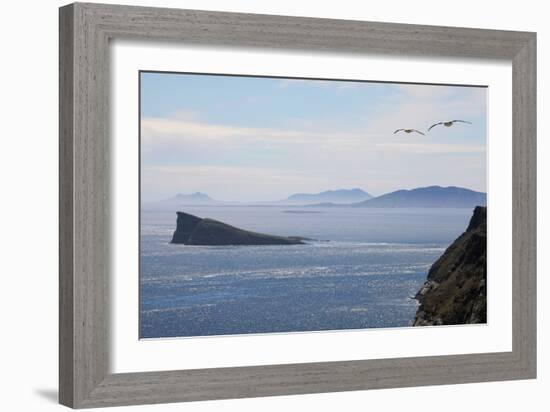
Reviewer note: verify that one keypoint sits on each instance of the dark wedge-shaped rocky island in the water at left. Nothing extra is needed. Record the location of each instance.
(193, 230)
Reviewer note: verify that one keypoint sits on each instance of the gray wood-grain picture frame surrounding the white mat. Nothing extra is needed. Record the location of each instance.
(85, 32)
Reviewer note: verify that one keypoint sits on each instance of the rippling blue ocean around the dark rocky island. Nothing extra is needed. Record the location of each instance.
(361, 270)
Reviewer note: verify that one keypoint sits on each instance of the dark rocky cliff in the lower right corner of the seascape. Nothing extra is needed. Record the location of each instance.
(456, 289)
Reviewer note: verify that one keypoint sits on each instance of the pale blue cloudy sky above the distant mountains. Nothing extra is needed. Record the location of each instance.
(240, 138)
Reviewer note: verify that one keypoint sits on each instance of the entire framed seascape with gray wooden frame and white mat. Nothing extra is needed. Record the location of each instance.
(258, 205)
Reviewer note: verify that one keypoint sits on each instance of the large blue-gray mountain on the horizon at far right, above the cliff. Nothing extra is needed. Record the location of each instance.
(432, 196)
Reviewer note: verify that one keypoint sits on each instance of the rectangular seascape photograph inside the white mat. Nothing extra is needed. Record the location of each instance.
(284, 159)
